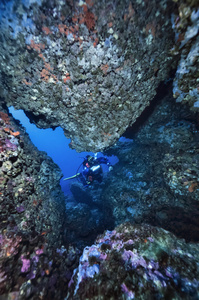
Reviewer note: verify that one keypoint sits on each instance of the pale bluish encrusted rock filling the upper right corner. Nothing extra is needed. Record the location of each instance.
(186, 26)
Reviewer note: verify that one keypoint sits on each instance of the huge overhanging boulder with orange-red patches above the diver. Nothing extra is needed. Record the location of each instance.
(90, 67)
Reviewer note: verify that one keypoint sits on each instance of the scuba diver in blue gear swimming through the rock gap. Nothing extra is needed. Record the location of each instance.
(92, 170)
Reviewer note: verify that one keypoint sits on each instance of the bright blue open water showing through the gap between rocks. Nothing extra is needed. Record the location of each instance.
(55, 144)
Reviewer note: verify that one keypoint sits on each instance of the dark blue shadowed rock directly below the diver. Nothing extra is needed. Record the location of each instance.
(87, 216)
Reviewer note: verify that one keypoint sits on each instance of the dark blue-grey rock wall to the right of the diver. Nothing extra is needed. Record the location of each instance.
(156, 180)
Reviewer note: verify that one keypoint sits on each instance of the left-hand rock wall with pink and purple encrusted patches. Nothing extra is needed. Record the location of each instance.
(34, 264)
